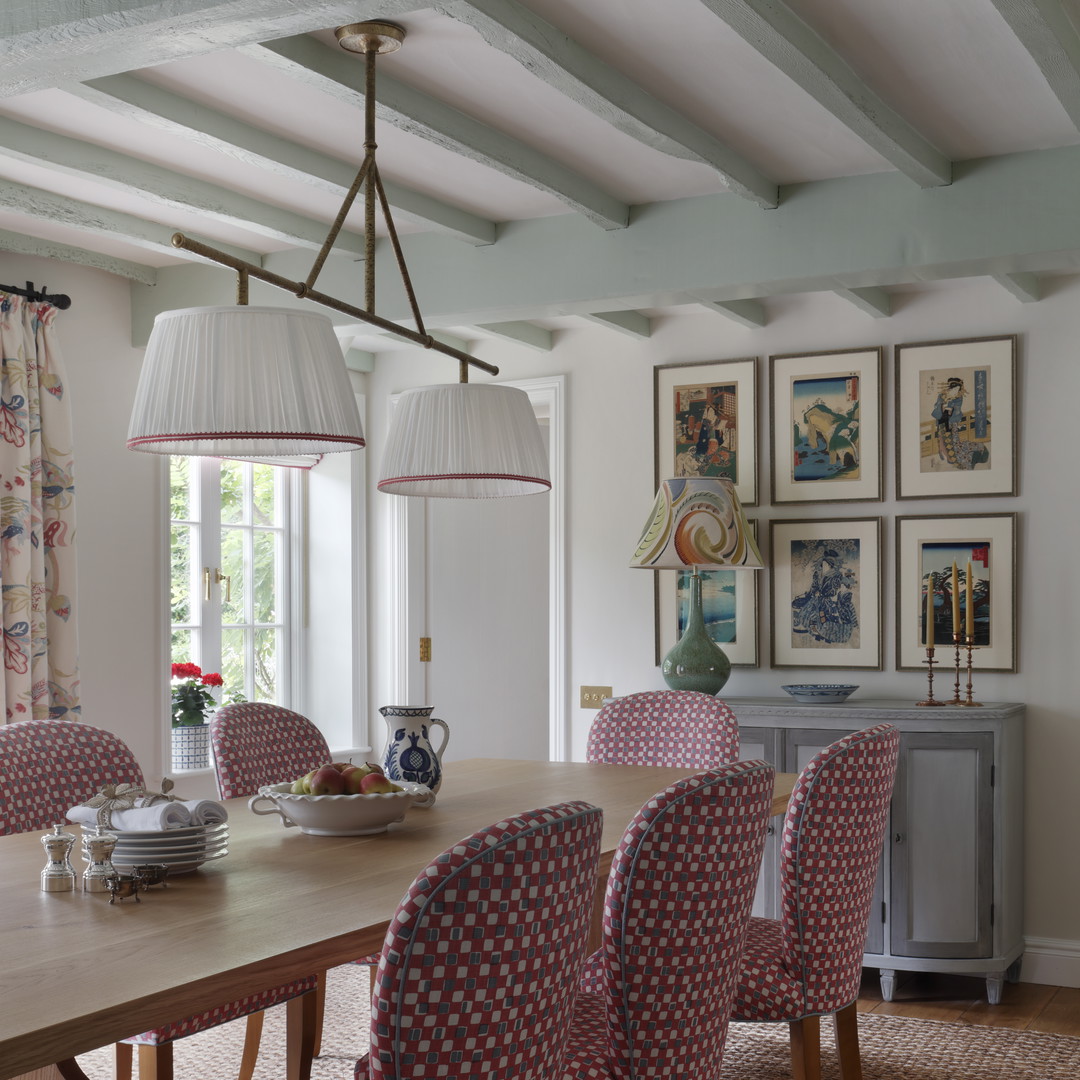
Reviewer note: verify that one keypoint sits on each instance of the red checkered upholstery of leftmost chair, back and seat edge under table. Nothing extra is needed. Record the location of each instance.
(49, 766)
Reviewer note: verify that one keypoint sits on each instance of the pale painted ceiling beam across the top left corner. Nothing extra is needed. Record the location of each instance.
(51, 43)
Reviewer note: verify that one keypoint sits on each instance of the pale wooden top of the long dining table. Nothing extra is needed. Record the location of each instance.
(78, 973)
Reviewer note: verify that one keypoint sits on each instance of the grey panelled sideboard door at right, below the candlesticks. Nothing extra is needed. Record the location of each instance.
(942, 846)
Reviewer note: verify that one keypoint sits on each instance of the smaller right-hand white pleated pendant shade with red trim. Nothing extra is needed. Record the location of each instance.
(465, 441)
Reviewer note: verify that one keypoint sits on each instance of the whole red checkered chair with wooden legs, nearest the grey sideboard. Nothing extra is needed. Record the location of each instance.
(808, 963)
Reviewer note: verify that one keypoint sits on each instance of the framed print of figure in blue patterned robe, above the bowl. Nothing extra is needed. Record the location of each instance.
(827, 593)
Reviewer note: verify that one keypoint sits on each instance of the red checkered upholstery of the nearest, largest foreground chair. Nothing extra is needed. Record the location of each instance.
(481, 962)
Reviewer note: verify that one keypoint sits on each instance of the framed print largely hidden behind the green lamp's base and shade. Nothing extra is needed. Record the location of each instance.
(731, 603)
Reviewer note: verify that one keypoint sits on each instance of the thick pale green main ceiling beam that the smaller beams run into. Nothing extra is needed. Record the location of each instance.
(1010, 214)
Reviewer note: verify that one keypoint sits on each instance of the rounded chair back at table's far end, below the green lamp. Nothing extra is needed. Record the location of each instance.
(677, 728)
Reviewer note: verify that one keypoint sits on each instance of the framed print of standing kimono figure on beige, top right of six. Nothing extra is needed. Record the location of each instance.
(956, 418)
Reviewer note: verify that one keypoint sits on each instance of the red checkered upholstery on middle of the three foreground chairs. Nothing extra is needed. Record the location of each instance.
(677, 911)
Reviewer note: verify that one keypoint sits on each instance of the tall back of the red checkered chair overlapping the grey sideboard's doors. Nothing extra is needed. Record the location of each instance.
(831, 852)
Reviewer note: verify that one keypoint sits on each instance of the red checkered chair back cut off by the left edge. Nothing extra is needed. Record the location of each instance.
(47, 767)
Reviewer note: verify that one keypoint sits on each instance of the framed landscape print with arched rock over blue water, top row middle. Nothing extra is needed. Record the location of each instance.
(827, 426)
